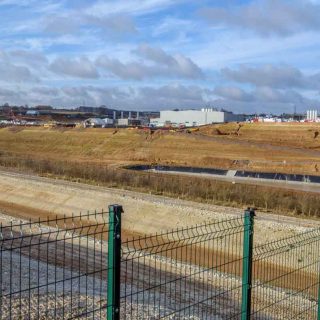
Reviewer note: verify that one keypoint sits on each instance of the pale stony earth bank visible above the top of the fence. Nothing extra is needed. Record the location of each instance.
(24, 196)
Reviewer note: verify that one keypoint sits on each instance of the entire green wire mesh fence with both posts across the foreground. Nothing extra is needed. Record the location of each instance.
(78, 267)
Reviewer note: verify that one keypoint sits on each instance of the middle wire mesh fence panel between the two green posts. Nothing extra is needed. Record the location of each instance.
(189, 273)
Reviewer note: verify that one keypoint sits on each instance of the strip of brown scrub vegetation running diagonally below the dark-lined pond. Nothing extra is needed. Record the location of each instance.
(196, 188)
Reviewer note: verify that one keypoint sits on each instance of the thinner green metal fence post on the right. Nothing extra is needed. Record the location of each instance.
(247, 264)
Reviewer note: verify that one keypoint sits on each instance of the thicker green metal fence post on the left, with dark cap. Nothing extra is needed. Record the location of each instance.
(114, 257)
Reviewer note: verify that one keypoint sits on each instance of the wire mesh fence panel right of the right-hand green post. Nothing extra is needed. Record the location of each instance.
(286, 277)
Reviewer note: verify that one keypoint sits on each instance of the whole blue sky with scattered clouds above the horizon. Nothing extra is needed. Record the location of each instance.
(244, 56)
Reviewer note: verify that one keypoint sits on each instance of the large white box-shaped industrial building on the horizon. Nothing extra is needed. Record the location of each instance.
(193, 118)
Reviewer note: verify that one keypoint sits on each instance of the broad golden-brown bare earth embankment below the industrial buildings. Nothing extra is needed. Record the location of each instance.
(288, 148)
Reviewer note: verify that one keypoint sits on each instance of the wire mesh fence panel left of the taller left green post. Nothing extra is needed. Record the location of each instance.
(54, 268)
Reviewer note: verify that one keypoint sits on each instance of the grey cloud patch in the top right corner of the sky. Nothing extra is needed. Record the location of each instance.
(268, 17)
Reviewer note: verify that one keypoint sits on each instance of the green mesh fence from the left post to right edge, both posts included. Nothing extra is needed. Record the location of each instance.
(212, 271)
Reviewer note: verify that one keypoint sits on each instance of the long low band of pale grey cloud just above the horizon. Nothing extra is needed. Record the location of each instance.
(170, 96)
